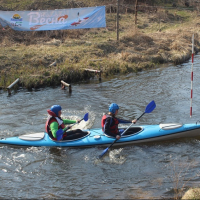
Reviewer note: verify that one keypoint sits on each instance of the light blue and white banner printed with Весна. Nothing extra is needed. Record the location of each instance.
(60, 19)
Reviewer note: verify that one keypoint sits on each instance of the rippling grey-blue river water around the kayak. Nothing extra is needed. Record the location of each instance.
(146, 171)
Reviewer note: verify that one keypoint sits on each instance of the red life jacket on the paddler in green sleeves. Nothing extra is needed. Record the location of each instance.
(53, 118)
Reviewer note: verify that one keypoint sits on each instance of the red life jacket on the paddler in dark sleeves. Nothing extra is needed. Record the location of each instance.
(113, 126)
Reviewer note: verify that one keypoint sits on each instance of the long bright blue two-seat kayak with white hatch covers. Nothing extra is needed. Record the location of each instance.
(95, 137)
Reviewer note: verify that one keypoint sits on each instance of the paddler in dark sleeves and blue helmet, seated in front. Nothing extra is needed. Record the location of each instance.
(110, 122)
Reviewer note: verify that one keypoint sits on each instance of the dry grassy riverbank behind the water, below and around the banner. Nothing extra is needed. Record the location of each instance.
(162, 34)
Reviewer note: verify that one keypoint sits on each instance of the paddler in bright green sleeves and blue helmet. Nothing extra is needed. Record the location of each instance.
(55, 122)
